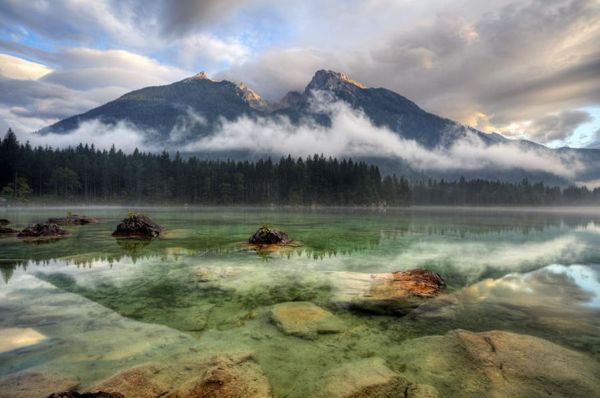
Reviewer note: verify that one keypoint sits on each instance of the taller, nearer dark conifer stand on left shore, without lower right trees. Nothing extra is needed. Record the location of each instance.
(89, 174)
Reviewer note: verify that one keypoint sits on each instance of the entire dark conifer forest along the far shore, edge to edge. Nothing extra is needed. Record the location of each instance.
(85, 174)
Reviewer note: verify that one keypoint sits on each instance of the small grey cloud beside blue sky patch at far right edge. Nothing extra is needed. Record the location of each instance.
(559, 126)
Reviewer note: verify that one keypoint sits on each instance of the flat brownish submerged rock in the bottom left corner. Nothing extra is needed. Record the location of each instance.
(34, 385)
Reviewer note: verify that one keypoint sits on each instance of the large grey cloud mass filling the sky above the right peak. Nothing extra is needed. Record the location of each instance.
(509, 63)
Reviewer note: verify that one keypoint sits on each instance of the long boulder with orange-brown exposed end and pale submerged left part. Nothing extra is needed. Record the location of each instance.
(386, 293)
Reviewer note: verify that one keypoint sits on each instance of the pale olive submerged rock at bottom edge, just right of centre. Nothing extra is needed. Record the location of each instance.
(363, 378)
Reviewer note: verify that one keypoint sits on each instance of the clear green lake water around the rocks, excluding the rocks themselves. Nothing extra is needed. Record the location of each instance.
(104, 304)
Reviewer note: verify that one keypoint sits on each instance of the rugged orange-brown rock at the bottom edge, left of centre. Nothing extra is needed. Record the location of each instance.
(226, 377)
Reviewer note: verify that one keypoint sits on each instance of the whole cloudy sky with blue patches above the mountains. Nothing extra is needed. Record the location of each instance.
(525, 69)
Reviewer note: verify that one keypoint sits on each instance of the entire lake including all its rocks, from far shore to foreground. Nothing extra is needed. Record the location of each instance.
(314, 304)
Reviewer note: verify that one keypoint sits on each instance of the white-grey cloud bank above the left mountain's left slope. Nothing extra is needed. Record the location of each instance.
(88, 78)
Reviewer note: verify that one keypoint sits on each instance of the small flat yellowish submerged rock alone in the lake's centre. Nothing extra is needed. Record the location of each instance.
(304, 319)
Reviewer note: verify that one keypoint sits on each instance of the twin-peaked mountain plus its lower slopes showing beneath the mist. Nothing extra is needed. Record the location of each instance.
(196, 107)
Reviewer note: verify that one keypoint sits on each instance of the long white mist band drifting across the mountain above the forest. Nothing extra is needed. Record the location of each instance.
(353, 135)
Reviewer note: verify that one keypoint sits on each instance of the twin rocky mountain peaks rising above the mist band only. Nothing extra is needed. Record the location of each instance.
(165, 109)
